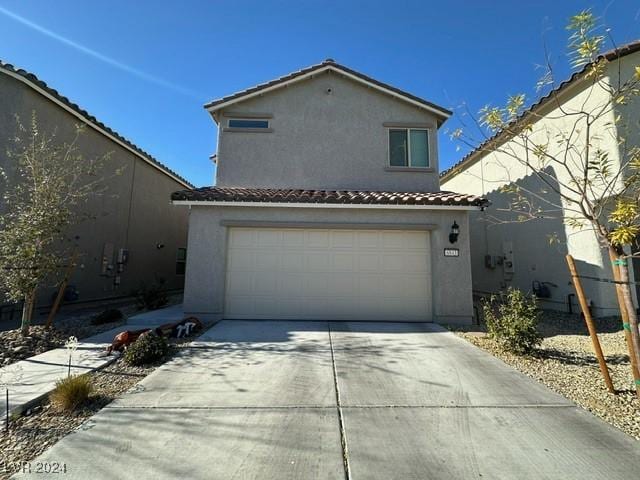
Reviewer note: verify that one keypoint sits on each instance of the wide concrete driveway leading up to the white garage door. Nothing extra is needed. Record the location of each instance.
(318, 400)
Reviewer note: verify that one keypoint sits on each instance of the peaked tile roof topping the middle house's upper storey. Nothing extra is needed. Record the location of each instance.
(336, 66)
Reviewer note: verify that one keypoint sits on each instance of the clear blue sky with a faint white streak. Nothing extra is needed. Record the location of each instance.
(145, 68)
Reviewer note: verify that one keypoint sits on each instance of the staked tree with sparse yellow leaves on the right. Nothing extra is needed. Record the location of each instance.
(587, 168)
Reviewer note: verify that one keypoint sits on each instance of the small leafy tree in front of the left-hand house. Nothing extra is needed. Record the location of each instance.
(51, 180)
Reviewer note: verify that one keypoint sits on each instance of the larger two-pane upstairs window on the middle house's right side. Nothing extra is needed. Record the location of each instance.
(409, 147)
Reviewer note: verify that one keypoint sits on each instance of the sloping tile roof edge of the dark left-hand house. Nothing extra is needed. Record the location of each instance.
(31, 79)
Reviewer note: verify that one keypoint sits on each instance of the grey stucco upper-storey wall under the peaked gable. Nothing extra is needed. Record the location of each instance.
(322, 140)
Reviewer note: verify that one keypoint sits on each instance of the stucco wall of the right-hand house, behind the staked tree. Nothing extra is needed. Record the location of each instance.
(534, 256)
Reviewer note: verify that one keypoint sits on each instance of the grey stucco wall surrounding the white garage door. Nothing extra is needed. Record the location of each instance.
(204, 289)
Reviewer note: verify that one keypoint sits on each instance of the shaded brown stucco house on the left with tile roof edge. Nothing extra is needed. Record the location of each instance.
(136, 236)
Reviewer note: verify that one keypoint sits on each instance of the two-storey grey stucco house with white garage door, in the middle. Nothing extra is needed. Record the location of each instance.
(327, 206)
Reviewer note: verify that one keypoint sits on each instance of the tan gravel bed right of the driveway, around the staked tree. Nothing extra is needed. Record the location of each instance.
(565, 363)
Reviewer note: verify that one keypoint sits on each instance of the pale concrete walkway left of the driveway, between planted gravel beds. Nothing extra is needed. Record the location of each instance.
(33, 378)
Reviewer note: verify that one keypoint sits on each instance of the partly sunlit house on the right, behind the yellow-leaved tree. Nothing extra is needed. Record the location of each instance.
(520, 254)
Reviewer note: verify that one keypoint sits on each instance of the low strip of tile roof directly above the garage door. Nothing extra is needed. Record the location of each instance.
(225, 194)
